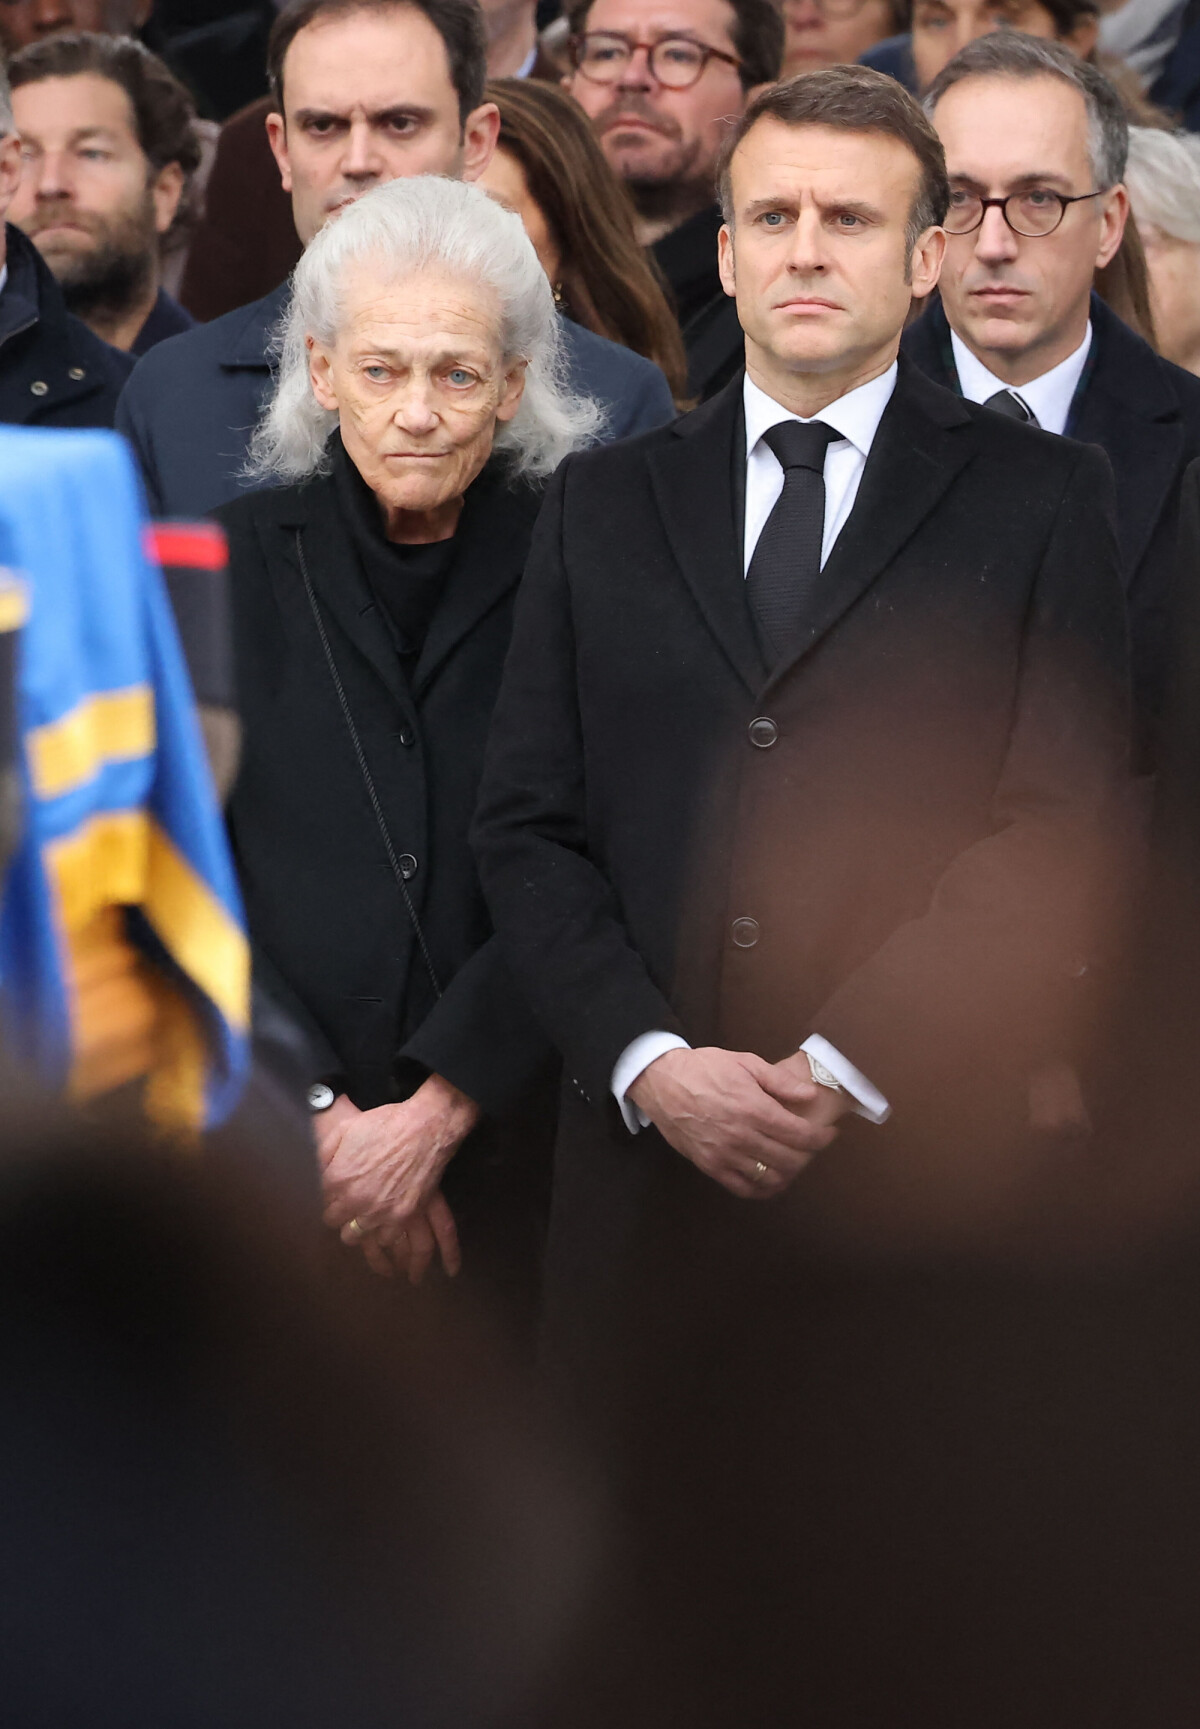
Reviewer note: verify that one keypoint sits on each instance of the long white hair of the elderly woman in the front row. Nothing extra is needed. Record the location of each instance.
(404, 227)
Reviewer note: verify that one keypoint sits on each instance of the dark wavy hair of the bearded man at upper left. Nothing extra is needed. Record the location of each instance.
(163, 113)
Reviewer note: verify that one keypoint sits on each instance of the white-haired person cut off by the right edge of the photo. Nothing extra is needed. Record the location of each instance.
(1165, 189)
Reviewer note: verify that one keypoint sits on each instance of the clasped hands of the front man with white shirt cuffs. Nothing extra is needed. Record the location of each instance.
(731, 1113)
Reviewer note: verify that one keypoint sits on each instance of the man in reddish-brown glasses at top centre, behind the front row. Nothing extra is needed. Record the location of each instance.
(663, 80)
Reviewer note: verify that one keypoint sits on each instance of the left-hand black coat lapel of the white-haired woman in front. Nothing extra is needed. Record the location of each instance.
(338, 582)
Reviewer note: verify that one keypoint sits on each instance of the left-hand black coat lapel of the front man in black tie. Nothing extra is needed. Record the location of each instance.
(693, 476)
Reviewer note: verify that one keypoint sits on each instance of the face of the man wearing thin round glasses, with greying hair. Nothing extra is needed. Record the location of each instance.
(1014, 300)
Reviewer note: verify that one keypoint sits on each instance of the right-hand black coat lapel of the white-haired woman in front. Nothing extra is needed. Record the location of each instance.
(494, 540)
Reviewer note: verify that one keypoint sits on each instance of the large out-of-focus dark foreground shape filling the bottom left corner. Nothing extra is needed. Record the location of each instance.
(238, 1496)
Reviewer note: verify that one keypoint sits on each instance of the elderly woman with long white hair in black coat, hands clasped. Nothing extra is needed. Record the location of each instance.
(419, 407)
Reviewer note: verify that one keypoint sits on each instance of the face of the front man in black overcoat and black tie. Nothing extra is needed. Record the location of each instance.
(817, 252)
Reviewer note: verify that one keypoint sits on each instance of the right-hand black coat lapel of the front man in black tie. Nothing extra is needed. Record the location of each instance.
(917, 454)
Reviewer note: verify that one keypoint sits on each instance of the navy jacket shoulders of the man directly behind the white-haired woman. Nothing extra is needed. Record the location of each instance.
(191, 405)
